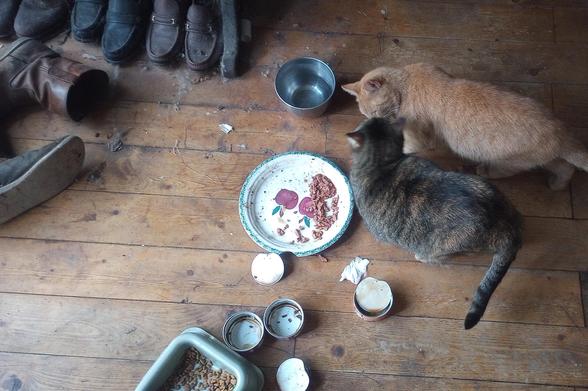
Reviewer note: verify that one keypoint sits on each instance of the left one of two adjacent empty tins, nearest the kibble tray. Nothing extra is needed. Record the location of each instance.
(243, 331)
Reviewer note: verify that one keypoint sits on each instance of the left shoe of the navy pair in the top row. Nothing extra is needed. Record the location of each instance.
(87, 19)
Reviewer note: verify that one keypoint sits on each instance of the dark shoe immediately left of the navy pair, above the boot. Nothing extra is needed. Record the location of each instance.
(41, 19)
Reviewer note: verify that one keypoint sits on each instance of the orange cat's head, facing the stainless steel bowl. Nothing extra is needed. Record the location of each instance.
(377, 93)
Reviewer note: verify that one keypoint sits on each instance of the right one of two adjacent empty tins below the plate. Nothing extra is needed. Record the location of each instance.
(283, 318)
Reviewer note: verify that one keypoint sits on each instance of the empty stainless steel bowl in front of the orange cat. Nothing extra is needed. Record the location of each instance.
(305, 86)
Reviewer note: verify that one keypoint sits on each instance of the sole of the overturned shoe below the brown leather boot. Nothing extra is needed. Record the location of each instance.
(48, 177)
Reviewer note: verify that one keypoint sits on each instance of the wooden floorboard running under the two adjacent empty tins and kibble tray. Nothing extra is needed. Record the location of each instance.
(330, 341)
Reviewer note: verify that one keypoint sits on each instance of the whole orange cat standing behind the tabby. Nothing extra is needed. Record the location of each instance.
(505, 132)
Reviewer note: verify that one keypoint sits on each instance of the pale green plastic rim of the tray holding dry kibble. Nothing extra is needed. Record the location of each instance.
(249, 377)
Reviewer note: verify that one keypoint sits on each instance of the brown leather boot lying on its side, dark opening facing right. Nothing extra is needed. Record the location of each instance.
(32, 73)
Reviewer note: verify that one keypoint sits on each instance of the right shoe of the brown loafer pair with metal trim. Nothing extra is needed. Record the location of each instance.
(203, 45)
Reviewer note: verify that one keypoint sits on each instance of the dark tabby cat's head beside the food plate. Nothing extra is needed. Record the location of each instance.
(377, 140)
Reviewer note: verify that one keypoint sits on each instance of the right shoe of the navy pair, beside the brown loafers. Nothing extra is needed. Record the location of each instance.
(124, 32)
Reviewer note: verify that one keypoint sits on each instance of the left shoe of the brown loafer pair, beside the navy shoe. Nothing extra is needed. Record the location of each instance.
(164, 37)
